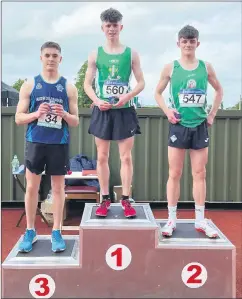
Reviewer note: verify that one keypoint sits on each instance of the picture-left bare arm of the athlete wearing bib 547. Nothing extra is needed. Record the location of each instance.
(164, 80)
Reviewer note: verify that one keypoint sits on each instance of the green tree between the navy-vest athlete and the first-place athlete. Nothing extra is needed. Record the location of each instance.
(83, 99)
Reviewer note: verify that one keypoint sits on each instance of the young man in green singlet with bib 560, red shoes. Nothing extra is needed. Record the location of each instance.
(114, 116)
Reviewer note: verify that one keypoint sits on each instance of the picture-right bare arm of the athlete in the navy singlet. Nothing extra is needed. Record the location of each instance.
(72, 117)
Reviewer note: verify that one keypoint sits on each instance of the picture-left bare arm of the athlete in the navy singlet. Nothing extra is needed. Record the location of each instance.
(22, 116)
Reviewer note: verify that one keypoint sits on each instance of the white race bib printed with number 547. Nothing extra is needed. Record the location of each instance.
(192, 98)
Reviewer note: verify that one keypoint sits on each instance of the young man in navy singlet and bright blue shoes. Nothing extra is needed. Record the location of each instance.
(48, 105)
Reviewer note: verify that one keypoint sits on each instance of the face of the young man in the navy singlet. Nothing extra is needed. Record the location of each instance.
(51, 59)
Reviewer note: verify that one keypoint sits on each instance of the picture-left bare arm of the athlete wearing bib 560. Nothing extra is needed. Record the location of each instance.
(90, 75)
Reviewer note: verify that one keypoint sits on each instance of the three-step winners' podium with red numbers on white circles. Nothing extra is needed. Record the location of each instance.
(116, 257)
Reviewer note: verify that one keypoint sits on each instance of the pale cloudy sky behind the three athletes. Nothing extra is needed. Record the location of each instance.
(150, 28)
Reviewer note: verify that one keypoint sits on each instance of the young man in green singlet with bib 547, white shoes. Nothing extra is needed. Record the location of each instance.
(189, 123)
